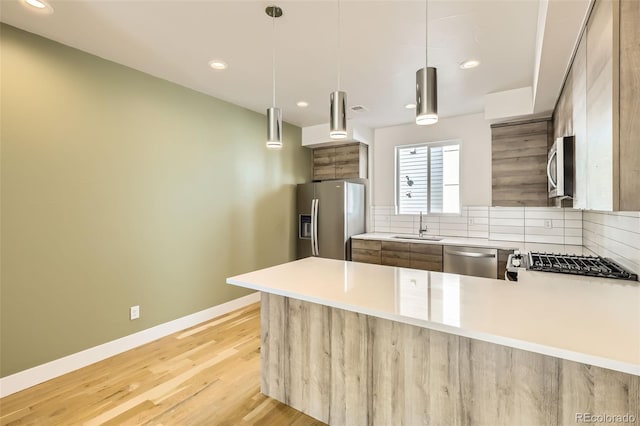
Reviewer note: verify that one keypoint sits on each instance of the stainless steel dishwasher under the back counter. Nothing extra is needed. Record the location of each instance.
(475, 261)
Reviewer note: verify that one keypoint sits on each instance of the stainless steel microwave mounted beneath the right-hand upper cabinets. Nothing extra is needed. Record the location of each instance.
(560, 168)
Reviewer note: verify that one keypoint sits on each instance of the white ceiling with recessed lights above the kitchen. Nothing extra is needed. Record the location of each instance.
(382, 46)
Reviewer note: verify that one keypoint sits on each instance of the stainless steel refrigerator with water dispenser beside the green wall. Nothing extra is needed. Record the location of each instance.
(329, 213)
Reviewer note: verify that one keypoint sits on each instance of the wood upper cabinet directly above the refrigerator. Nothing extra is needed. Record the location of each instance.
(340, 162)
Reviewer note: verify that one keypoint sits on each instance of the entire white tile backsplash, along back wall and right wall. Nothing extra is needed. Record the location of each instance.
(614, 235)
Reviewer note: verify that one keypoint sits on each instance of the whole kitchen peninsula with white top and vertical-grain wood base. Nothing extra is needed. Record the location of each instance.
(354, 343)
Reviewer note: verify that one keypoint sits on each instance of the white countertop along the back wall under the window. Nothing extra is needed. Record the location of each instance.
(480, 242)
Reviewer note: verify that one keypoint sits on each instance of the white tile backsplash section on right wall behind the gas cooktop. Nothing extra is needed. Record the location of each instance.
(614, 235)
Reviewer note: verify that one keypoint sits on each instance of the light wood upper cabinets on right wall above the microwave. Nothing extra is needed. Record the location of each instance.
(600, 106)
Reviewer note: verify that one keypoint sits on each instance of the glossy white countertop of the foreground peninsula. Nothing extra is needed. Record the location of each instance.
(589, 320)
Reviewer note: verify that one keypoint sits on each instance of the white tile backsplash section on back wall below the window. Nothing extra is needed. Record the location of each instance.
(528, 224)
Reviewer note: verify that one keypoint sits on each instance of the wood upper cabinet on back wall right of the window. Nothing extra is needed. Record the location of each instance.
(519, 161)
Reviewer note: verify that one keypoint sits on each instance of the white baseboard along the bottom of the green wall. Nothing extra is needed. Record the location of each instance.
(41, 373)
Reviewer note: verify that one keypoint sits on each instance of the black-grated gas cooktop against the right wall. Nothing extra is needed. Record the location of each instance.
(594, 266)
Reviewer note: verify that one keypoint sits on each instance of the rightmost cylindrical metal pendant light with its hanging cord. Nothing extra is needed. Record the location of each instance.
(426, 84)
